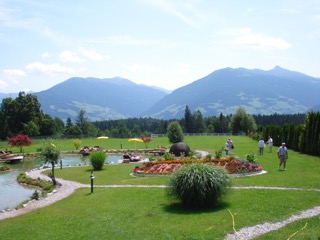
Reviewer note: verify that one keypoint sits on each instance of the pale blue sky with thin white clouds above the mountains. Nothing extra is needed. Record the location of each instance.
(163, 43)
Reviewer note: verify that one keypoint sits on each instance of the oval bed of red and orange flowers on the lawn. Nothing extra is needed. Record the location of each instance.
(233, 166)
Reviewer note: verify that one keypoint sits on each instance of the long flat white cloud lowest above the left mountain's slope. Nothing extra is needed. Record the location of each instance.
(49, 68)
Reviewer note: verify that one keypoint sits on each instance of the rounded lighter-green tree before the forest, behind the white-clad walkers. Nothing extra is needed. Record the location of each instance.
(242, 122)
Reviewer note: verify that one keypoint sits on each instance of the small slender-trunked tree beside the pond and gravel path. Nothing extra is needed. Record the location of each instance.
(50, 154)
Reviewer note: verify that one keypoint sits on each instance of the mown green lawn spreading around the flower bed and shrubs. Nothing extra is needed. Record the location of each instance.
(146, 213)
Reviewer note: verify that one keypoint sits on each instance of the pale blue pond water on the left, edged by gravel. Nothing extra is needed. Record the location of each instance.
(12, 193)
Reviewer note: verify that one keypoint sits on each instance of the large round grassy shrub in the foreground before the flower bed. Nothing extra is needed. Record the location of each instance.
(198, 185)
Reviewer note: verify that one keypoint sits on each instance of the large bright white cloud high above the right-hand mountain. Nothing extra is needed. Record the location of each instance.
(246, 37)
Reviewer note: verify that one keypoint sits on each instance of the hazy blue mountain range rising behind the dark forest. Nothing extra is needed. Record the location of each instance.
(260, 92)
